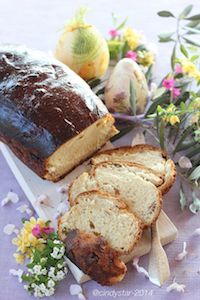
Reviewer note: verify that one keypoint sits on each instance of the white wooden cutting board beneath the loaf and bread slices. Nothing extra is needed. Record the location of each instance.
(33, 186)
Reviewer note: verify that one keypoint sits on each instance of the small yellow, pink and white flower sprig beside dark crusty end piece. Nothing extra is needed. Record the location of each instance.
(39, 243)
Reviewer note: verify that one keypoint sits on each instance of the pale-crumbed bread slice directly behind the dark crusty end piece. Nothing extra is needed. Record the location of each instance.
(106, 216)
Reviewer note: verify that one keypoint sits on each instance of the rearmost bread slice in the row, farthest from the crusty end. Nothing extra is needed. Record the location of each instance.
(149, 156)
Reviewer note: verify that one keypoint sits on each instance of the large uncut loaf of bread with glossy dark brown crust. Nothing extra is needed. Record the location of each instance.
(49, 117)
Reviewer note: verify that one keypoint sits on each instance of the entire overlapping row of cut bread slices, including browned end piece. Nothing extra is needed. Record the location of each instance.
(110, 205)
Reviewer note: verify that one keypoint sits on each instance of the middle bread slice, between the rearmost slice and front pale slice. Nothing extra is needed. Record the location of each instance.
(124, 181)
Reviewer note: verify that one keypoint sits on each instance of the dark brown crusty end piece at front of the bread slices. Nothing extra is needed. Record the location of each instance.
(93, 255)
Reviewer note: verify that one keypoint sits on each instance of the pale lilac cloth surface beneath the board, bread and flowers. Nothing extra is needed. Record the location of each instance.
(36, 24)
